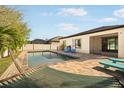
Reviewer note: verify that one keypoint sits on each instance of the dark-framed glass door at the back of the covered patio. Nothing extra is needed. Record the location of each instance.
(110, 44)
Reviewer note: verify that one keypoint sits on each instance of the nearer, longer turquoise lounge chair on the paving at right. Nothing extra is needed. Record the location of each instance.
(109, 63)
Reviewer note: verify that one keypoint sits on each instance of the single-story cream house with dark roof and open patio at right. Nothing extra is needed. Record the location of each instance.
(105, 40)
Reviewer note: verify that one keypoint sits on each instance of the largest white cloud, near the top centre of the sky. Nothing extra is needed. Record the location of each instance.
(72, 12)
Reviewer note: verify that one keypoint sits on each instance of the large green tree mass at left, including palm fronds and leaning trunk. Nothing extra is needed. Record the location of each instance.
(13, 32)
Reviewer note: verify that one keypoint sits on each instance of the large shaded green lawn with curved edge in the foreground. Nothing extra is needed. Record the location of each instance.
(49, 78)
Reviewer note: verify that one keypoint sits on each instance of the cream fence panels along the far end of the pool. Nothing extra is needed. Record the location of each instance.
(30, 47)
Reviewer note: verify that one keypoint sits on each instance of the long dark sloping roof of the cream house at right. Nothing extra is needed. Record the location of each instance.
(99, 29)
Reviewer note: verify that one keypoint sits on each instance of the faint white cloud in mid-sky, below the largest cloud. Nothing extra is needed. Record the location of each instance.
(68, 27)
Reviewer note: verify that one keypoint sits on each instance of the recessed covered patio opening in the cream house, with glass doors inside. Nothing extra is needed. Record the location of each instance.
(106, 45)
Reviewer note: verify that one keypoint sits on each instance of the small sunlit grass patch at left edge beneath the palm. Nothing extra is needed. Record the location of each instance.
(4, 64)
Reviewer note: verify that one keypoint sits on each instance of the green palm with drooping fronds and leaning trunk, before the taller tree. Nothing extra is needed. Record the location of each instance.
(9, 40)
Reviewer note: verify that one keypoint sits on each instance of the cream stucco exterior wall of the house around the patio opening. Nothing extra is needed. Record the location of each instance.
(85, 40)
